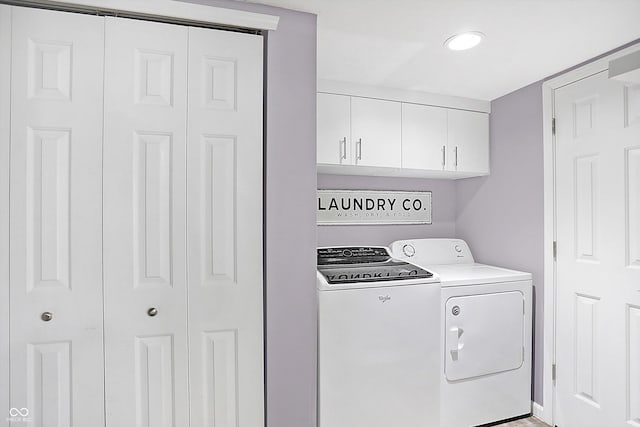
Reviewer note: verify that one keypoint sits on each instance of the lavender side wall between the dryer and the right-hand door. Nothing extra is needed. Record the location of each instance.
(501, 215)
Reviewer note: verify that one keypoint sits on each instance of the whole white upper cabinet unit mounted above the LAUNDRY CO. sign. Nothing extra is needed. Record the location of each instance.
(387, 133)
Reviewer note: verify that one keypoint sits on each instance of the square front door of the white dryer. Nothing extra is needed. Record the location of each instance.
(484, 334)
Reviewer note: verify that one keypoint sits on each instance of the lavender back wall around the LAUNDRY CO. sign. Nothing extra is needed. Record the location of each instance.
(443, 202)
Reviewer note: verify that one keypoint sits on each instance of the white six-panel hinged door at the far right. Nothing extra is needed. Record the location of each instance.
(598, 266)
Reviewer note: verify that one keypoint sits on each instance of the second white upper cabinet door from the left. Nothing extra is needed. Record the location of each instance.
(376, 132)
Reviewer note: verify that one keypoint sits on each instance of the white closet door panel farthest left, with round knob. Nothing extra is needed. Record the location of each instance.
(56, 217)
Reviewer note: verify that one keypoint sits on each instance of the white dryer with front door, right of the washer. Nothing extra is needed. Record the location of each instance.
(486, 333)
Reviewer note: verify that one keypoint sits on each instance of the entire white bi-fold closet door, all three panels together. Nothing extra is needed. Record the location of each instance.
(136, 183)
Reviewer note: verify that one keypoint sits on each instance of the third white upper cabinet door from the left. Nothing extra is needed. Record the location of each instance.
(424, 137)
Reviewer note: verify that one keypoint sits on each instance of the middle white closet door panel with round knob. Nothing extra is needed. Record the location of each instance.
(144, 224)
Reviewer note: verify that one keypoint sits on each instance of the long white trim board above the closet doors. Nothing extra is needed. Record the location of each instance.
(163, 10)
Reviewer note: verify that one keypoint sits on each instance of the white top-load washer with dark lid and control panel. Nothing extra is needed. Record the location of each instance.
(378, 332)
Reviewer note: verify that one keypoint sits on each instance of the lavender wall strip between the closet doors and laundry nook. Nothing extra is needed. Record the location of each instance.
(290, 216)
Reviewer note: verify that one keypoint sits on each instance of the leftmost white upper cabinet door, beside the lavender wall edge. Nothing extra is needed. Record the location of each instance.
(334, 129)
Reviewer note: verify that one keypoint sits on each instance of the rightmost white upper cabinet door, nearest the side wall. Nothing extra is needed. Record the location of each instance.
(468, 148)
